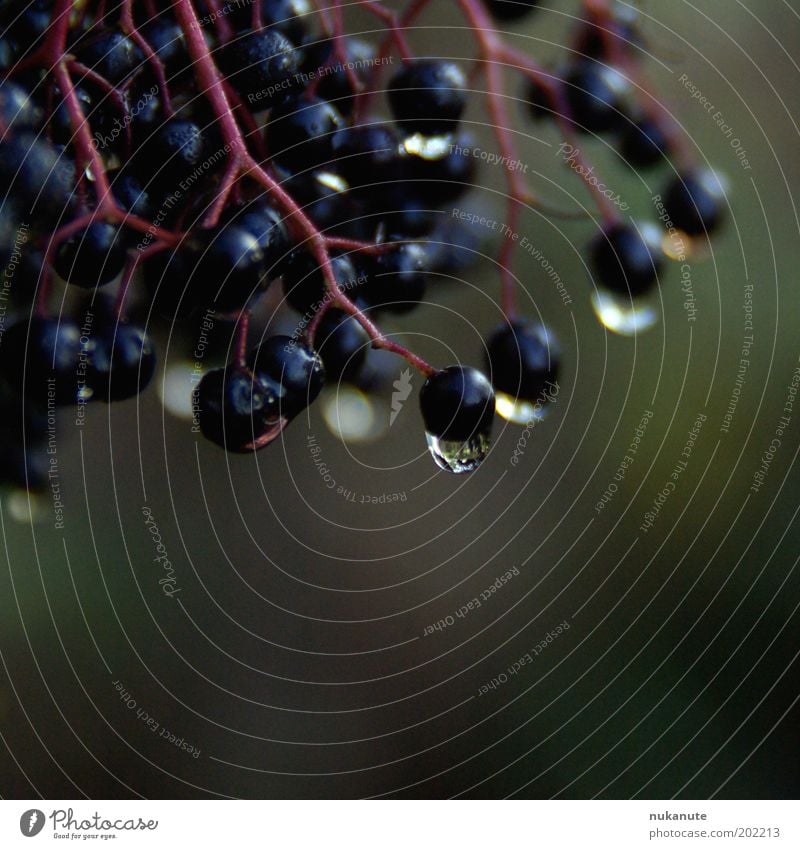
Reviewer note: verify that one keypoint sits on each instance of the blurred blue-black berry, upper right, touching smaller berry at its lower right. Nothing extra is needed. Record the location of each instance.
(594, 95)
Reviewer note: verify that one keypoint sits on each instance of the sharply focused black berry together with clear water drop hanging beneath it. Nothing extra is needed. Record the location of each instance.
(457, 406)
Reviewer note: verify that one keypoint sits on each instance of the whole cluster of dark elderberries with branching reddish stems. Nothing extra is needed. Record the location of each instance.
(207, 152)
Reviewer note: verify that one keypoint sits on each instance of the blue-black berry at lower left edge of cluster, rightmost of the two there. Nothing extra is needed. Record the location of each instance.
(122, 363)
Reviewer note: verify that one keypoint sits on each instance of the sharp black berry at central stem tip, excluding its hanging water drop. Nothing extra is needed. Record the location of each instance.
(457, 404)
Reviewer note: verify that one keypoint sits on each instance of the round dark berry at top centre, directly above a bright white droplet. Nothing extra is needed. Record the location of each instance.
(428, 97)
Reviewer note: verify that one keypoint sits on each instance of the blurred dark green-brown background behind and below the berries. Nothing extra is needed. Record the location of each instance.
(310, 644)
